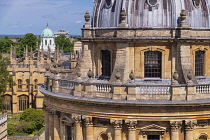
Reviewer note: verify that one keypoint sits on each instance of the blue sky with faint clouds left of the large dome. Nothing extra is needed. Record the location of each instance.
(18, 17)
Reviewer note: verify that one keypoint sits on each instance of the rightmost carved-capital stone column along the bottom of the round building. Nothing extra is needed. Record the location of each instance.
(189, 126)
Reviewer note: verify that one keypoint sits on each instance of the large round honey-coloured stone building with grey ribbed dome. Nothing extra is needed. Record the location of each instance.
(144, 75)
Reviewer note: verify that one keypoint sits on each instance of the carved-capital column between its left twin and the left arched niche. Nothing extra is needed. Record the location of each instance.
(89, 128)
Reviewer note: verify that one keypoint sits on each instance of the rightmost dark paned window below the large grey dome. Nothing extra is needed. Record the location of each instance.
(199, 63)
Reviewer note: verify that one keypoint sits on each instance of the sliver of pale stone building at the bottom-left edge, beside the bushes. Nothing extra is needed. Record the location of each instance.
(3, 127)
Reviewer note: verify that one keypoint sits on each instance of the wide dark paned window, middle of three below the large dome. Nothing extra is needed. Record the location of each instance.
(152, 64)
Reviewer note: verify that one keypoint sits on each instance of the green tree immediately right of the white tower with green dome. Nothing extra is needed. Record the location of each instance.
(64, 43)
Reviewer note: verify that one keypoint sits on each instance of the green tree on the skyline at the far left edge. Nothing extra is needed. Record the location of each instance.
(5, 44)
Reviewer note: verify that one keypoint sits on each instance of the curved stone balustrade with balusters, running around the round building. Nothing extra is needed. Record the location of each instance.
(138, 89)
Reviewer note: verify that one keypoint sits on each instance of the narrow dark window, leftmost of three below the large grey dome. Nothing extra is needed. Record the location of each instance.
(106, 62)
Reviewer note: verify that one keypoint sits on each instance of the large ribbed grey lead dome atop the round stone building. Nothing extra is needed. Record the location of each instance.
(151, 13)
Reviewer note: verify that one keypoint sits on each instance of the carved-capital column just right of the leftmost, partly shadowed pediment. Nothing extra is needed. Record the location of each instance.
(78, 127)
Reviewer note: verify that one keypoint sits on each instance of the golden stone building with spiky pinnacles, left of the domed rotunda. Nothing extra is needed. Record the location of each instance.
(28, 74)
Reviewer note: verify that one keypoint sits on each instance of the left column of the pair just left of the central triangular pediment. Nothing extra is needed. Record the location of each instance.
(117, 129)
